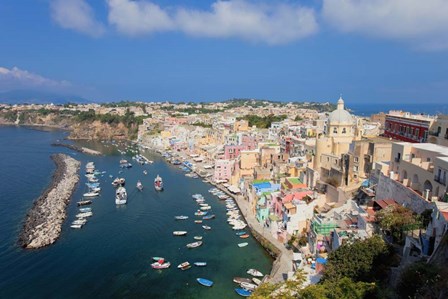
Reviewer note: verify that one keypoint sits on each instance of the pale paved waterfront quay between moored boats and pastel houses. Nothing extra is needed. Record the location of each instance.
(282, 256)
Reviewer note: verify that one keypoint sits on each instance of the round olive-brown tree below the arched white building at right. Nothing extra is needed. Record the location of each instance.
(397, 220)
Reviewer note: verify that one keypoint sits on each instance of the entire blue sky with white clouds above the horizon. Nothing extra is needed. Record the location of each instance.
(370, 51)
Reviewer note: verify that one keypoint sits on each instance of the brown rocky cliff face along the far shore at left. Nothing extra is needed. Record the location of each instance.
(78, 129)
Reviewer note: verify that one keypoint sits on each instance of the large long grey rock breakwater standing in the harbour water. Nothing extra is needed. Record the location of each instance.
(44, 221)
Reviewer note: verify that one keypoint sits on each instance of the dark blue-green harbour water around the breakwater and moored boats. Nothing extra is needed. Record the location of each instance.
(111, 255)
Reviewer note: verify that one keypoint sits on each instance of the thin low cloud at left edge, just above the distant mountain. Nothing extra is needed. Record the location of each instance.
(16, 78)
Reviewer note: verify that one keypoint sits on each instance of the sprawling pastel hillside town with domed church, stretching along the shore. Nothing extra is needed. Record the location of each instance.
(313, 177)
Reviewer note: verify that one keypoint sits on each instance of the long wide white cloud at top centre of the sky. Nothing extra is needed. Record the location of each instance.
(269, 23)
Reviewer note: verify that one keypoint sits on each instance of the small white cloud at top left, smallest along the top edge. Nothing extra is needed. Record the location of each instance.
(76, 15)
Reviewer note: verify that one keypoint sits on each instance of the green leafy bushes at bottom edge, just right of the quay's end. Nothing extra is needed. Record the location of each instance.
(355, 270)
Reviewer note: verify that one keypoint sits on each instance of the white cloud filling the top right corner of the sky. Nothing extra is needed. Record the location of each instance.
(423, 23)
